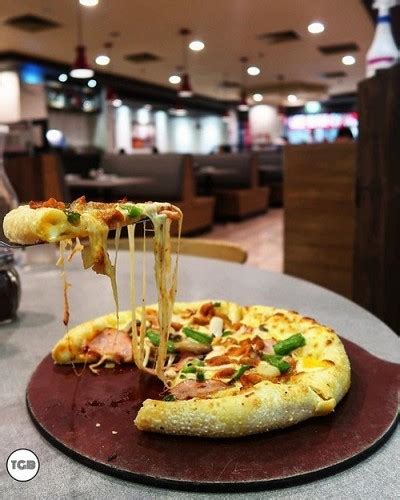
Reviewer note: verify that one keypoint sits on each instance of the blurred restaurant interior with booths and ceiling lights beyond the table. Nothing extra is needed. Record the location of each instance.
(255, 117)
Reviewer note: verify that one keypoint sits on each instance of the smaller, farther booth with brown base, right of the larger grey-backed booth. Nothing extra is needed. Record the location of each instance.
(234, 182)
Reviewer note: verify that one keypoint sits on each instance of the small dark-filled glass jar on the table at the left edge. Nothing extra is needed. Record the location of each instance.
(10, 287)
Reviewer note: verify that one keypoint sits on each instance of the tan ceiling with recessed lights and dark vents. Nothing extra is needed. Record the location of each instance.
(229, 28)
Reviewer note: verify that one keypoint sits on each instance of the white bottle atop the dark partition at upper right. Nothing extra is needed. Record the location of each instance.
(383, 52)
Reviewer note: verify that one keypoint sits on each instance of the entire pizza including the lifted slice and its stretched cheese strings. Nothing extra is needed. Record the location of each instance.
(228, 370)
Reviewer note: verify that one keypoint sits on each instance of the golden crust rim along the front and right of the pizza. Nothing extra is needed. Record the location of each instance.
(321, 382)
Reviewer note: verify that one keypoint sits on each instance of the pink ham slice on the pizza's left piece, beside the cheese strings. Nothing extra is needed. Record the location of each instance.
(115, 343)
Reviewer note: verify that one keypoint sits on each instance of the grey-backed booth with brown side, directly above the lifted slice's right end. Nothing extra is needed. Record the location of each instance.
(172, 181)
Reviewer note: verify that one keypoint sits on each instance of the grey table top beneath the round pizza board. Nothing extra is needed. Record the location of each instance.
(25, 342)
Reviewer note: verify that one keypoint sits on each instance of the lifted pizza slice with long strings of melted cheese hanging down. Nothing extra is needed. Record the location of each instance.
(54, 221)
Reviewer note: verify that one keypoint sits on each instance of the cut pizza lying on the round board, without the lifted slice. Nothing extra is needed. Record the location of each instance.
(229, 371)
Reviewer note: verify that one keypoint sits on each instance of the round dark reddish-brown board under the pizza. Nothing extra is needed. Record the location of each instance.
(66, 409)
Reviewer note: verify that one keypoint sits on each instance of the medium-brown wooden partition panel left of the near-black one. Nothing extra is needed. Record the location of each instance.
(319, 200)
